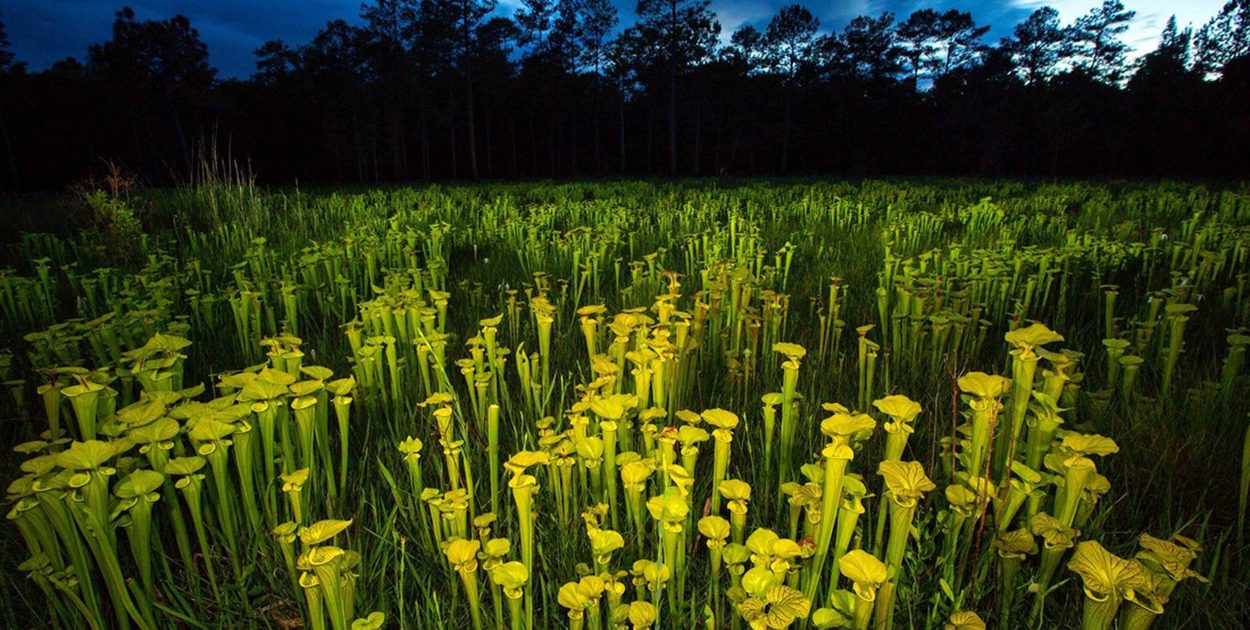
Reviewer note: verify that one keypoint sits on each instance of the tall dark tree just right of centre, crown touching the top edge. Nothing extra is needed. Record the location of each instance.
(683, 32)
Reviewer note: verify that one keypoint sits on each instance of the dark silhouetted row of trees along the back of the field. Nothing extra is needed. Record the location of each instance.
(452, 89)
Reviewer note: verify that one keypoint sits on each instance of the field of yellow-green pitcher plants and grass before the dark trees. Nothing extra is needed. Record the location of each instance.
(629, 406)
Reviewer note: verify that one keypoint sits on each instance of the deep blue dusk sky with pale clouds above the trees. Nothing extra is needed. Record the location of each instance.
(44, 32)
